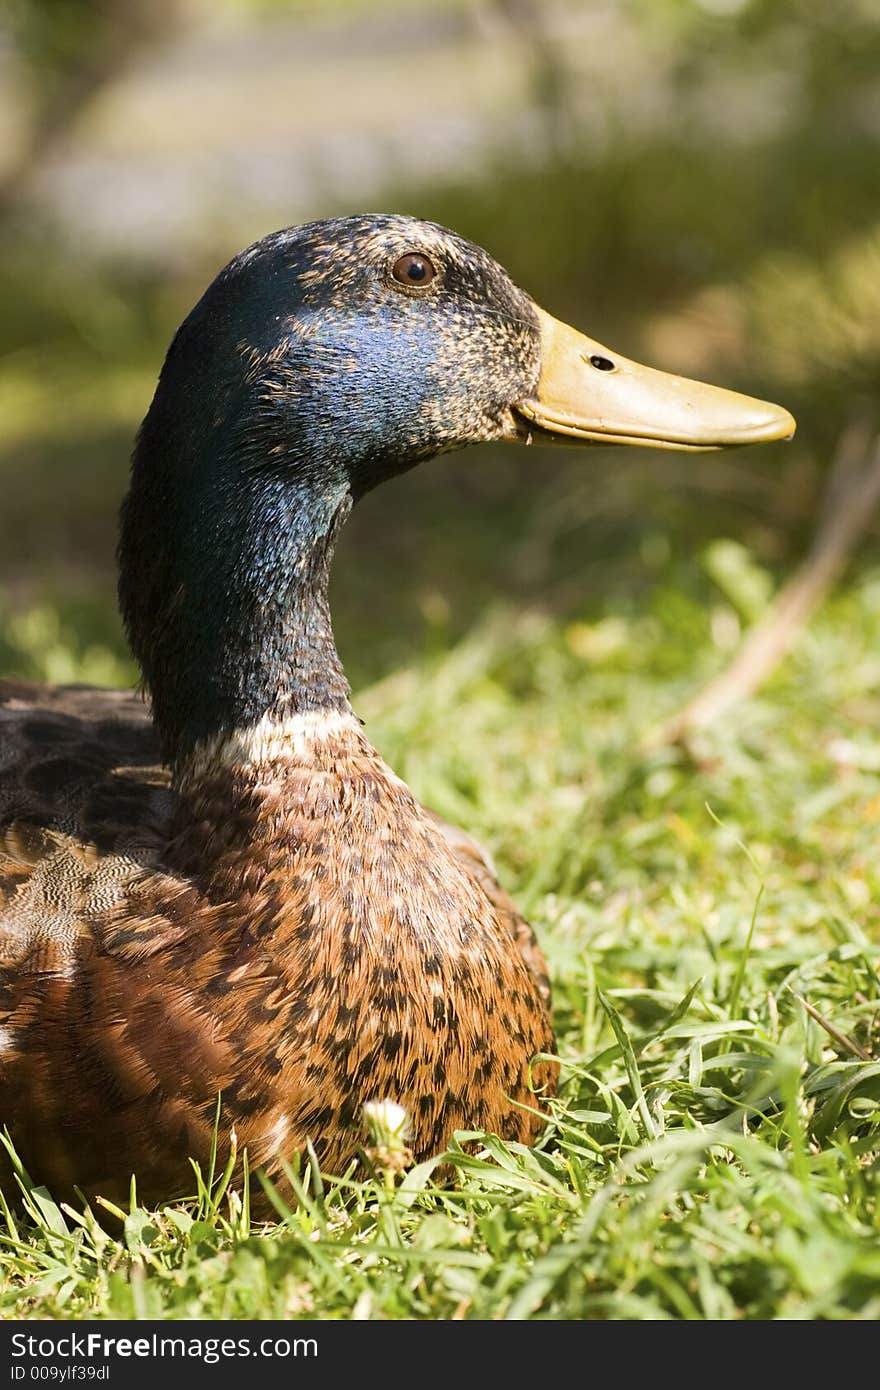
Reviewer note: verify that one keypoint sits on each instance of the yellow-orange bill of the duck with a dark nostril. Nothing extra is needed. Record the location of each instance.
(587, 393)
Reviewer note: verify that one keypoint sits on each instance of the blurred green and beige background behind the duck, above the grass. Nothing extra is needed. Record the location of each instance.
(694, 183)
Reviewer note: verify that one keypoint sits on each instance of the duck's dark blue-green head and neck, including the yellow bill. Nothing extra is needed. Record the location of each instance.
(323, 361)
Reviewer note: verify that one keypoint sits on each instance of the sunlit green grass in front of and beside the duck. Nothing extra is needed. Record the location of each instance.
(714, 1153)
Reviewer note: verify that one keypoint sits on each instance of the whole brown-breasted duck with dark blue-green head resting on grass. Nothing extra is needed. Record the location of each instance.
(216, 897)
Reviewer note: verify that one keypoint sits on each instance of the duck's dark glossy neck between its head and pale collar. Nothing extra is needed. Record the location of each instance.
(227, 610)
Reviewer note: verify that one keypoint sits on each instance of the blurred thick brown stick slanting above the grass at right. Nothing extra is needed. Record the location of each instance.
(852, 500)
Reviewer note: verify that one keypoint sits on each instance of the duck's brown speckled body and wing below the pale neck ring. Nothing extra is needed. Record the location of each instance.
(288, 928)
